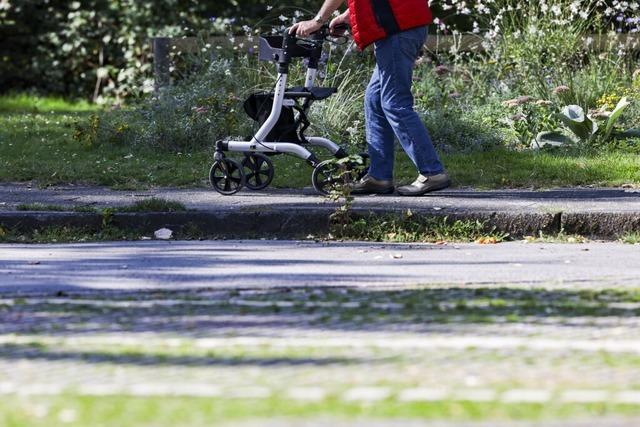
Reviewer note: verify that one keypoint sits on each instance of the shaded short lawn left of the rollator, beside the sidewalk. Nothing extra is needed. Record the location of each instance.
(41, 147)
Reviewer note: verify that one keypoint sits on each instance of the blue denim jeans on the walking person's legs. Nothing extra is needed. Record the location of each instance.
(389, 109)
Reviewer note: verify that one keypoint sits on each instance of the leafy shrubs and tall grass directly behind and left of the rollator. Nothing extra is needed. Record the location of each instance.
(207, 106)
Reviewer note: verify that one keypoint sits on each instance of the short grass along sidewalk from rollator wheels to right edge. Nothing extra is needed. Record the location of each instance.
(501, 168)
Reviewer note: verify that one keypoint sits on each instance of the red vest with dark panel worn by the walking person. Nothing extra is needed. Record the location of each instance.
(373, 20)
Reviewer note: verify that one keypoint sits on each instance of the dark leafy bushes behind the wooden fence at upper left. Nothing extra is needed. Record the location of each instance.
(96, 48)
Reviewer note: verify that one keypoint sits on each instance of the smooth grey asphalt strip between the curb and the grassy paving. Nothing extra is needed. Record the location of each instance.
(249, 264)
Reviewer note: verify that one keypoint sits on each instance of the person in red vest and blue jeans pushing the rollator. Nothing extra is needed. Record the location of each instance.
(398, 30)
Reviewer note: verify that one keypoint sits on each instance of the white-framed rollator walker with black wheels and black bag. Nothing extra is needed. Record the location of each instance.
(282, 131)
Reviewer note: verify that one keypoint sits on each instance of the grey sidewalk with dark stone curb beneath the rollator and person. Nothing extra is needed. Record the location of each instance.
(594, 212)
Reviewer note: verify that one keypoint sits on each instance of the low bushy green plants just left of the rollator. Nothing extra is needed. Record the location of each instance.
(189, 116)
